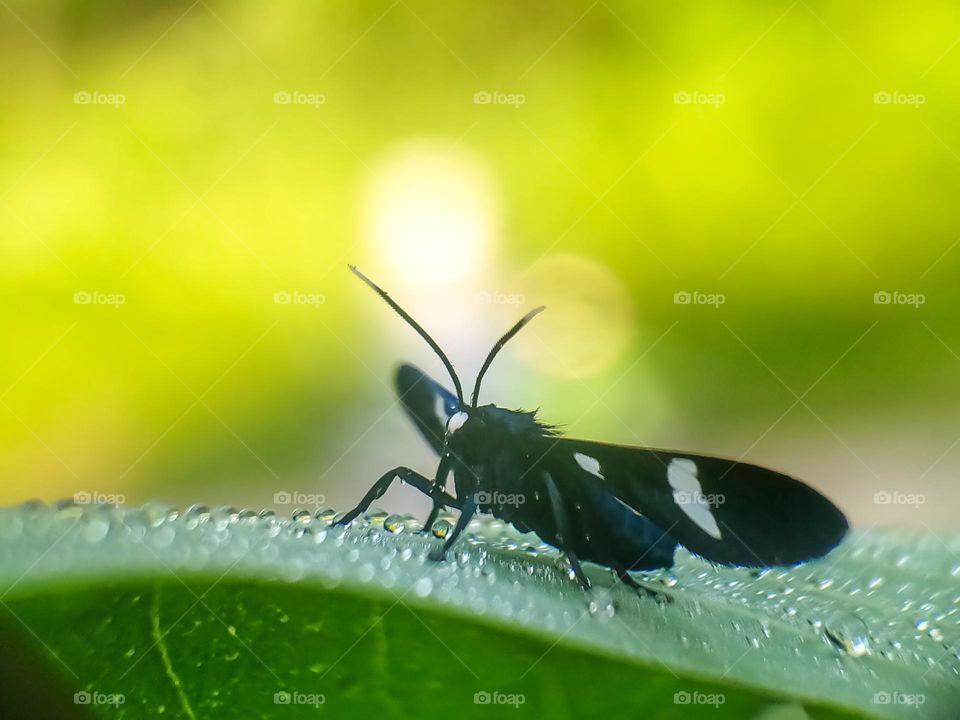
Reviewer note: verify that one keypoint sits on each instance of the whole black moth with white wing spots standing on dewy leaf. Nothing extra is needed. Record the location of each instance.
(626, 508)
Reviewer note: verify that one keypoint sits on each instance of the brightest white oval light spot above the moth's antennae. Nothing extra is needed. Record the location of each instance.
(429, 210)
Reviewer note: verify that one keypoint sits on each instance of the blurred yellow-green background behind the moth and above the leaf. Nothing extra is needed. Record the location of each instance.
(183, 183)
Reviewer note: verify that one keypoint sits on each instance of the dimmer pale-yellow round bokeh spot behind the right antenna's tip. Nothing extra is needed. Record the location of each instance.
(589, 317)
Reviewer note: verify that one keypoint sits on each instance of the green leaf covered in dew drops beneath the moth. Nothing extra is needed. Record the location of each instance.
(224, 614)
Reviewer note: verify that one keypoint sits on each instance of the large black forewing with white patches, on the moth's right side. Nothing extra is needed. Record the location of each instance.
(728, 512)
